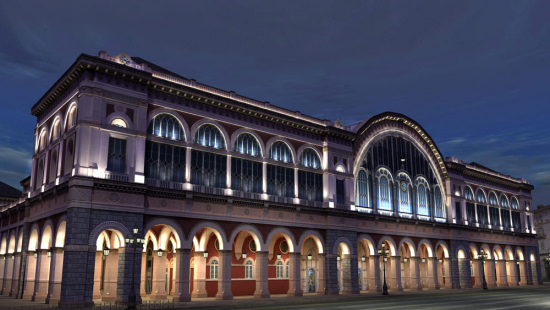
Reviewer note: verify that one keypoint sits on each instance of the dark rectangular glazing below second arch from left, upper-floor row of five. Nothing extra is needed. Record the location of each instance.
(208, 169)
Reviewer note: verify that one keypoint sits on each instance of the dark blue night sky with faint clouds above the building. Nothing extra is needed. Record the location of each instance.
(475, 75)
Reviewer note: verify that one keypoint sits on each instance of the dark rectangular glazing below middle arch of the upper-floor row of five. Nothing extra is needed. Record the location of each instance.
(246, 175)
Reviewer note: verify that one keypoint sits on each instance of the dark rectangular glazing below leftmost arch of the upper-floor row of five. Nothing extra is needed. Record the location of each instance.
(164, 162)
